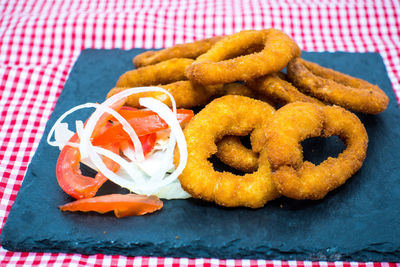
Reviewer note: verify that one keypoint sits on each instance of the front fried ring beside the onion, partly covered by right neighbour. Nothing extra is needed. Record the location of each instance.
(227, 115)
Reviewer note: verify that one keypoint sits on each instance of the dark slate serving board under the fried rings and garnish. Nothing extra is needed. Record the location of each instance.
(357, 222)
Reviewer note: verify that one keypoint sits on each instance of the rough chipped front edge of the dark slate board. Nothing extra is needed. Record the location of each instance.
(168, 250)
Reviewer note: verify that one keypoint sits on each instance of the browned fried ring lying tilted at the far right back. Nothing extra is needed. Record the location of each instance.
(337, 88)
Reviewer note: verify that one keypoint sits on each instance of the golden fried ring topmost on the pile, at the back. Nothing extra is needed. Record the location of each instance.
(223, 63)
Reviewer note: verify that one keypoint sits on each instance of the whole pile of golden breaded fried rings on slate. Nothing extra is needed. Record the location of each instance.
(238, 82)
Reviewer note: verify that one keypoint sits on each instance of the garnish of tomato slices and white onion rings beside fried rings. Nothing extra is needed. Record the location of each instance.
(120, 143)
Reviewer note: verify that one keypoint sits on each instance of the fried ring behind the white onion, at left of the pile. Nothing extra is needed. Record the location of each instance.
(168, 75)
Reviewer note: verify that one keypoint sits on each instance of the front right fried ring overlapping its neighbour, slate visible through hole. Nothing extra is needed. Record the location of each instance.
(298, 121)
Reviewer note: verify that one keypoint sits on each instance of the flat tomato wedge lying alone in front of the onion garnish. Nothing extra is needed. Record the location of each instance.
(122, 204)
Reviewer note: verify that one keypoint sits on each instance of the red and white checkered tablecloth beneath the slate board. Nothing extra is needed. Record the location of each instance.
(40, 40)
